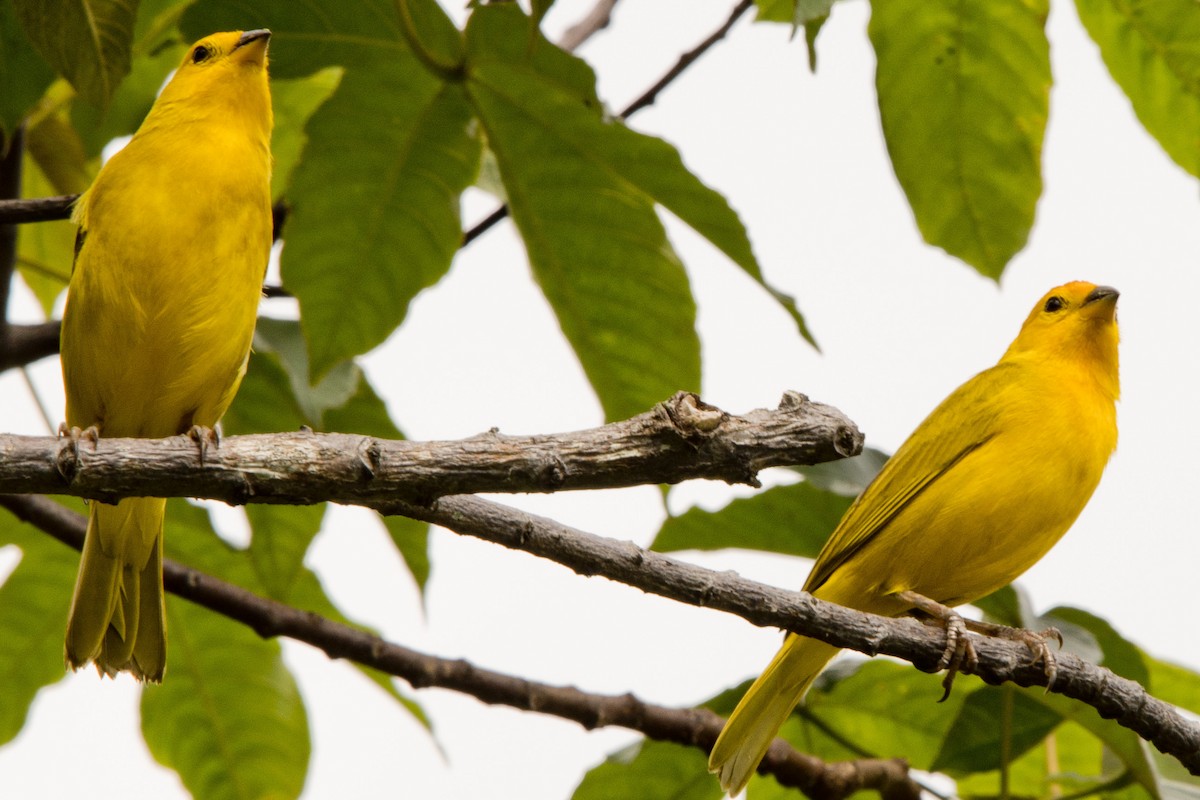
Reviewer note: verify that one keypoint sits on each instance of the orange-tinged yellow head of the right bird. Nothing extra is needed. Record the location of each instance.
(1077, 321)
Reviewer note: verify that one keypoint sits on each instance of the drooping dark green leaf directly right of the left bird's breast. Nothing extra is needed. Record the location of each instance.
(374, 225)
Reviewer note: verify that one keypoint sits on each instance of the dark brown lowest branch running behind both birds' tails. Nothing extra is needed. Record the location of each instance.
(691, 727)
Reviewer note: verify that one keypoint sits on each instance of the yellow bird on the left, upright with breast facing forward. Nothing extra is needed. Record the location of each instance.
(175, 238)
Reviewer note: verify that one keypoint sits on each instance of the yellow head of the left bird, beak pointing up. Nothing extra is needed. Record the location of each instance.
(221, 76)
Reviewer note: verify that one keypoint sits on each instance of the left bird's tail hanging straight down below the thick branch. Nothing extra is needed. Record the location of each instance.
(118, 617)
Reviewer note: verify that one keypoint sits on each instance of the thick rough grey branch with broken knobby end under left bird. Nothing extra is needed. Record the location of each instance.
(680, 440)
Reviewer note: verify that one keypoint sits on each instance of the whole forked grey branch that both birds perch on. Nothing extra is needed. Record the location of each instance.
(682, 438)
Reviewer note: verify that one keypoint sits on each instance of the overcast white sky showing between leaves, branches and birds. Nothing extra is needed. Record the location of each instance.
(802, 160)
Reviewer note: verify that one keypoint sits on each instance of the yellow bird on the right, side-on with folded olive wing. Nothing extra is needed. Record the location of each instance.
(980, 492)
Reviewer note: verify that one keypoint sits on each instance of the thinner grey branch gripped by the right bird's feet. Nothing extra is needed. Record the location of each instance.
(1000, 661)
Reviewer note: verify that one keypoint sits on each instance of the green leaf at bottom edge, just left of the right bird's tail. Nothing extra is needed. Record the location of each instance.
(651, 771)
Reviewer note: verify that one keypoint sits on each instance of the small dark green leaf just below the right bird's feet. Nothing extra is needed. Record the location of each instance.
(975, 743)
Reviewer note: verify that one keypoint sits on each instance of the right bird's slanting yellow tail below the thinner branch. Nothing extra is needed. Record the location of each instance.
(765, 708)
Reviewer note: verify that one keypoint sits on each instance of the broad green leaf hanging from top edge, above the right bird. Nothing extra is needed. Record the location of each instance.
(964, 93)
